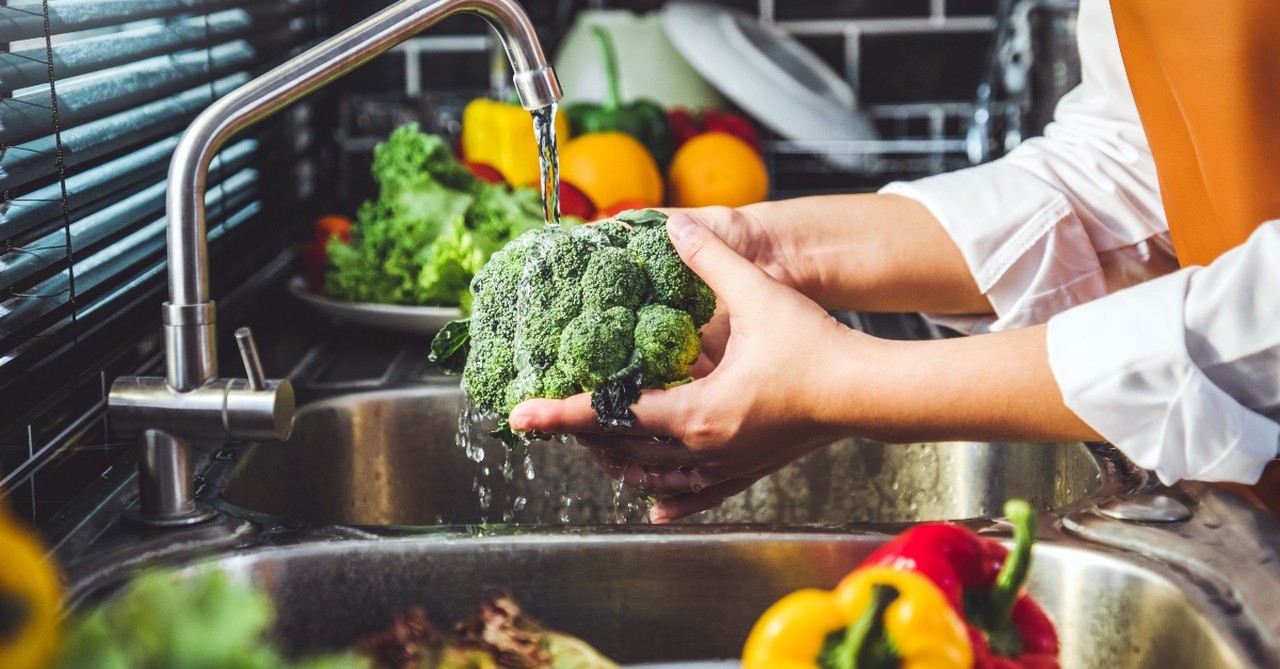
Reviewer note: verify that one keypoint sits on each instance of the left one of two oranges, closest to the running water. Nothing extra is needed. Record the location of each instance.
(611, 167)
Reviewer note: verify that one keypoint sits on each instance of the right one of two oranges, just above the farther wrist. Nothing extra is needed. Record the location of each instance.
(716, 169)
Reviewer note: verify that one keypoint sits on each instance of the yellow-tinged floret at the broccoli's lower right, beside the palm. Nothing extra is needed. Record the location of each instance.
(668, 343)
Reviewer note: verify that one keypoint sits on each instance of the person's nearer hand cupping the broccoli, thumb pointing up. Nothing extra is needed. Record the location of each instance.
(769, 401)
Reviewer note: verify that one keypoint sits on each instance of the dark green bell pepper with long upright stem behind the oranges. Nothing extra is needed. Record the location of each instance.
(643, 120)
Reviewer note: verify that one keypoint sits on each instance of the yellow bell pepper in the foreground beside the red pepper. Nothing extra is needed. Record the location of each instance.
(877, 617)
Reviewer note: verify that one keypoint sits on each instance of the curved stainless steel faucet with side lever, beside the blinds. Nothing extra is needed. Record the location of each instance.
(191, 402)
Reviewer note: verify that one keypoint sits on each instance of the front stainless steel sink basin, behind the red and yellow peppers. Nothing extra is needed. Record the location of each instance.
(683, 597)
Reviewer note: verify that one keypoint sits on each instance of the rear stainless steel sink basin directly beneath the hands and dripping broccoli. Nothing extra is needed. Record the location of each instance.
(395, 459)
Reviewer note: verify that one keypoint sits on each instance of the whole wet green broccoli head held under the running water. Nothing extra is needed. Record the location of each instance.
(607, 309)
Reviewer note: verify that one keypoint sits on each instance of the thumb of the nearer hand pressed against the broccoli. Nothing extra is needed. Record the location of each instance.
(732, 277)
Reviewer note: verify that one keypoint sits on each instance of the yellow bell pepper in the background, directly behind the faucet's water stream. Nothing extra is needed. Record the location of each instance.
(501, 135)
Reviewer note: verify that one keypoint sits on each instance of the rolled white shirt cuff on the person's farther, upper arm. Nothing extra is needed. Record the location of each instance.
(1027, 250)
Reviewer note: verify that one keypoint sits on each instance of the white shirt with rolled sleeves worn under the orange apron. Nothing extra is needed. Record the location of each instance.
(1181, 370)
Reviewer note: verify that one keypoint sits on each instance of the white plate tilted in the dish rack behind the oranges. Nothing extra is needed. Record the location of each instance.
(766, 72)
